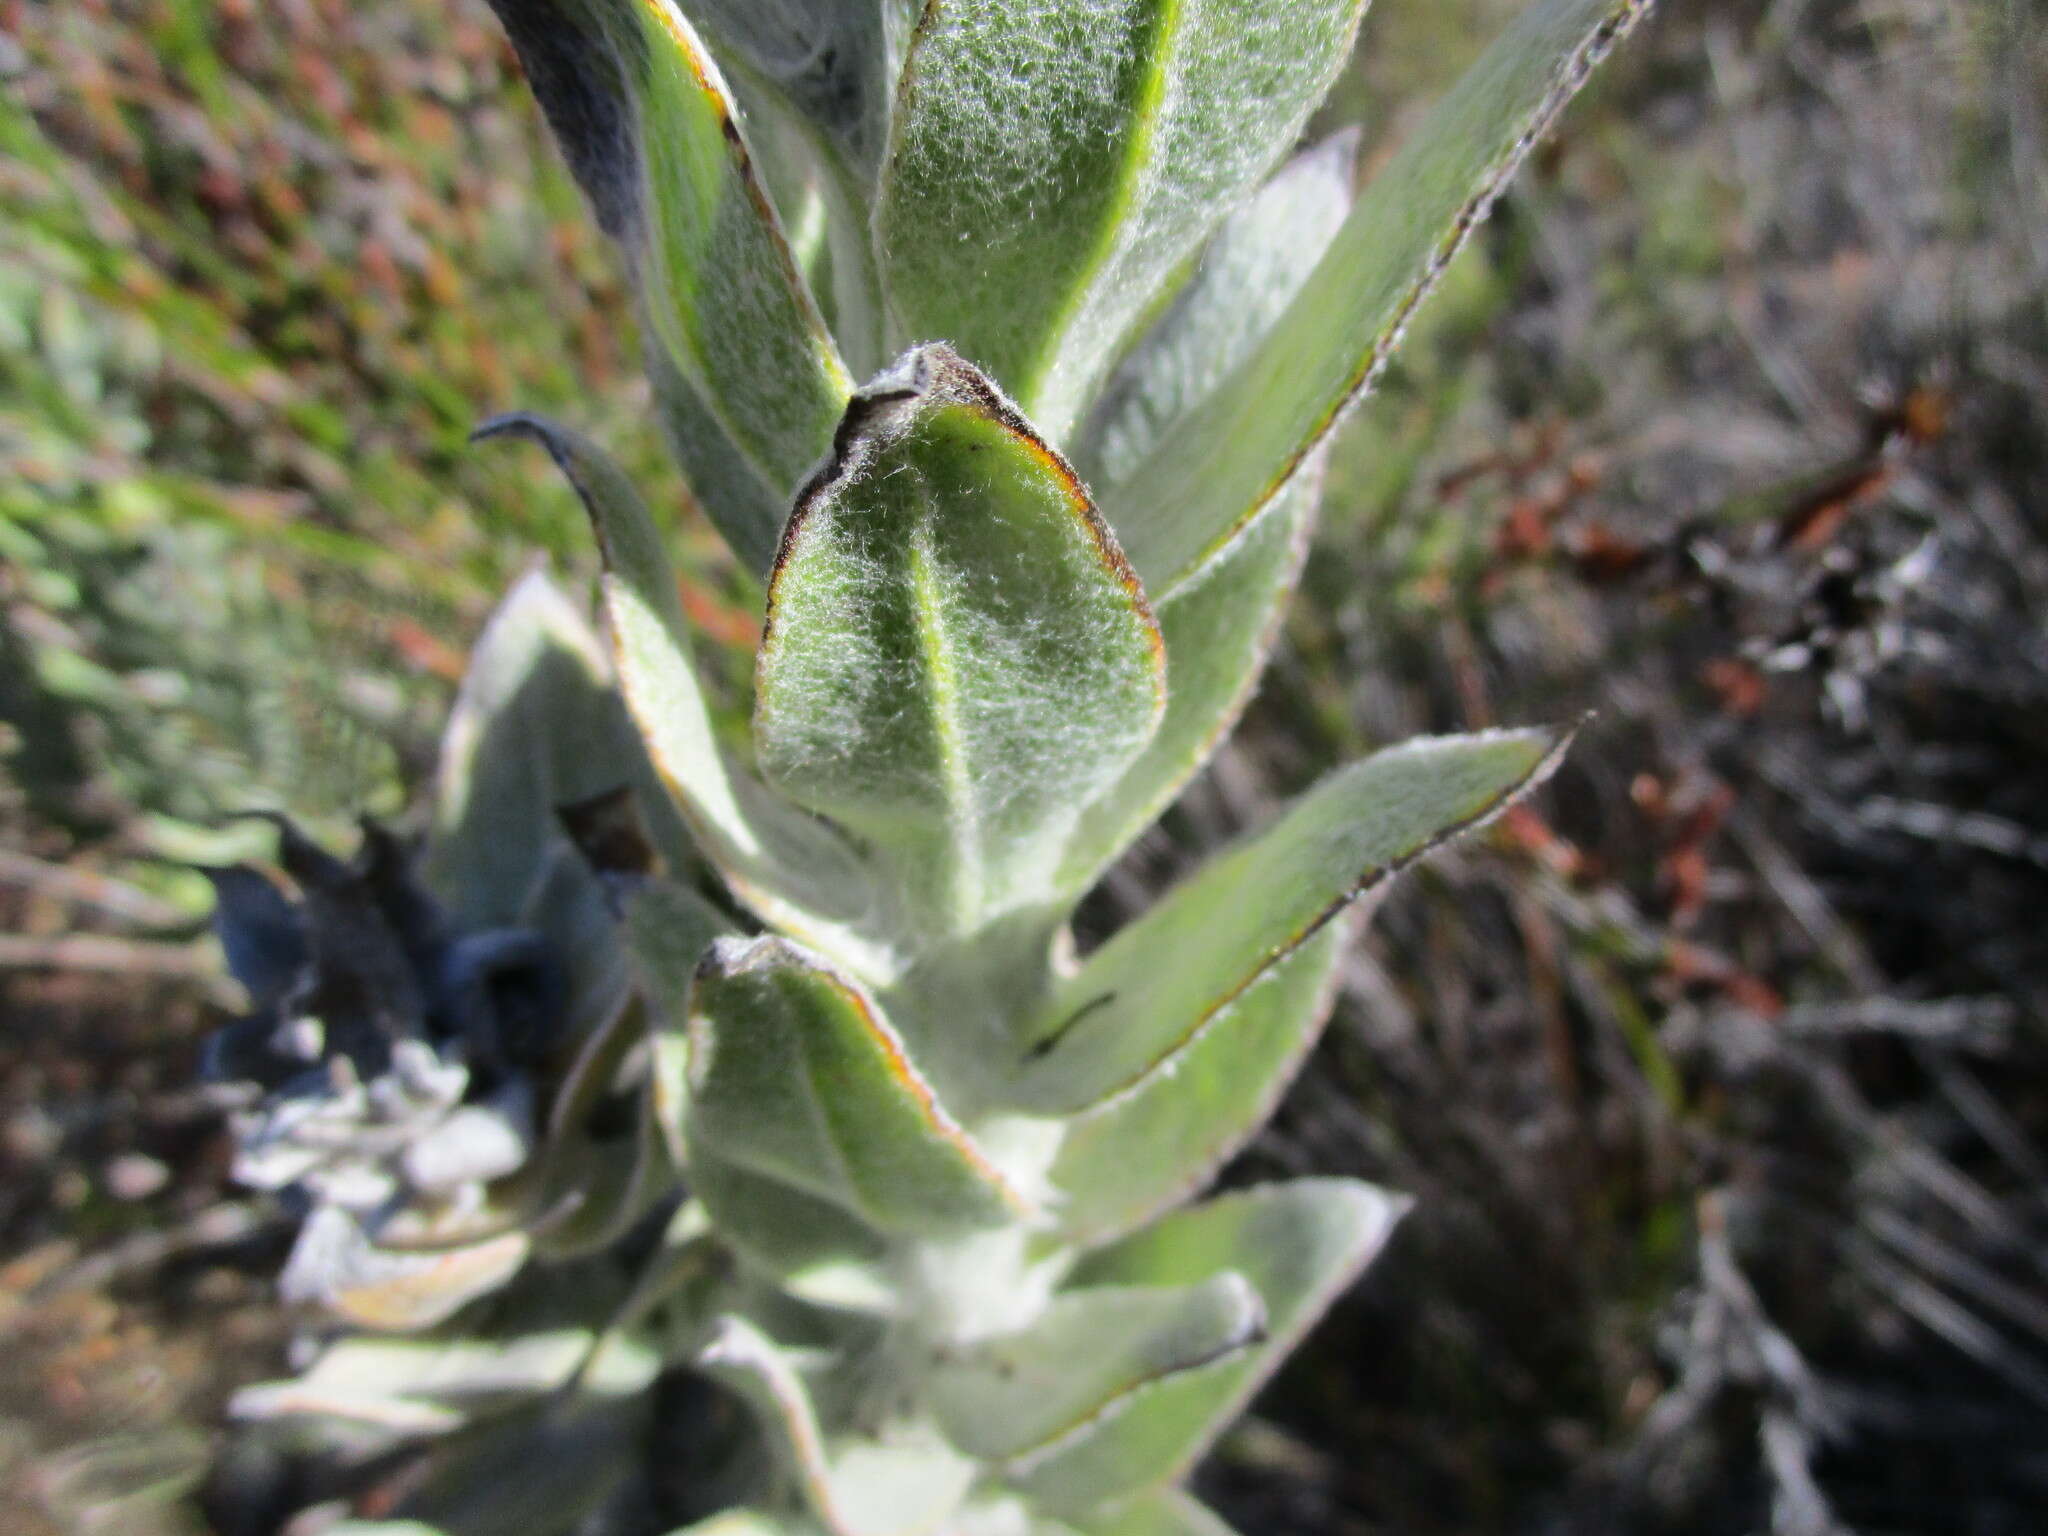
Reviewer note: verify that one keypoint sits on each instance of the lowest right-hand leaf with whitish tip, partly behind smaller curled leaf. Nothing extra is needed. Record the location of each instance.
(1299, 1244)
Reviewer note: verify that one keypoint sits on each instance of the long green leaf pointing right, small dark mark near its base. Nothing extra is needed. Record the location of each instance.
(1162, 982)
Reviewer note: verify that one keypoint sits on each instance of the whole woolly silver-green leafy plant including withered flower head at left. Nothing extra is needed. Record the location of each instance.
(794, 1095)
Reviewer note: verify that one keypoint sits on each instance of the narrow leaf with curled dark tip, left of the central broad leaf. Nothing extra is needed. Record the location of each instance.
(765, 847)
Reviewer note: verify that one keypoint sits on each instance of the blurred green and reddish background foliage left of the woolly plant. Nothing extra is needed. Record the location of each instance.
(261, 271)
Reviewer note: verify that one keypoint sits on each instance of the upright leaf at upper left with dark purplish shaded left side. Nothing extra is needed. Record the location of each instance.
(652, 134)
